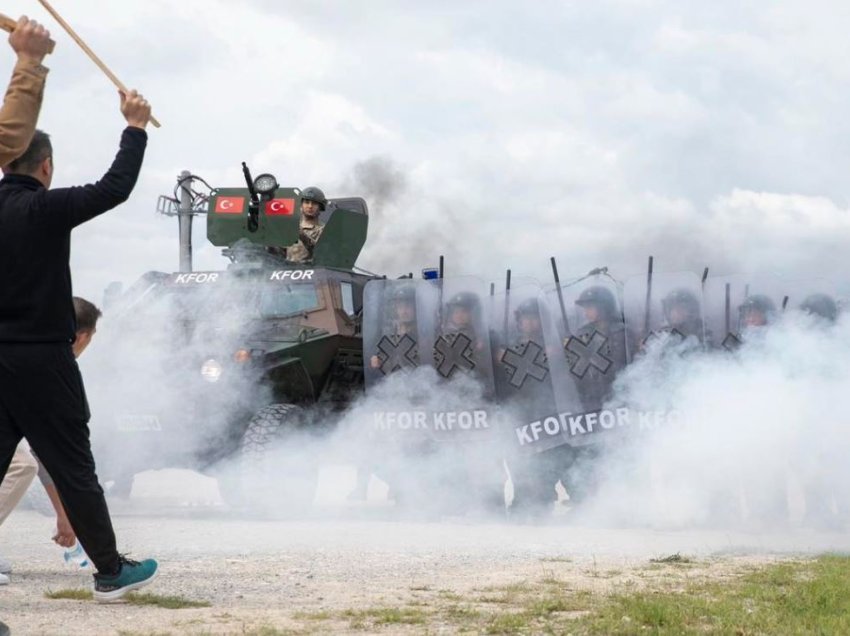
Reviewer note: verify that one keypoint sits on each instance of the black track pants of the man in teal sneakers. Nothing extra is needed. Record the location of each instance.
(42, 399)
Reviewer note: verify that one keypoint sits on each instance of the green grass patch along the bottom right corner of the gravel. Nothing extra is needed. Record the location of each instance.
(805, 597)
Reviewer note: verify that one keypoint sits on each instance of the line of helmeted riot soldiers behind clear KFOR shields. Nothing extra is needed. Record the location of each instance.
(546, 361)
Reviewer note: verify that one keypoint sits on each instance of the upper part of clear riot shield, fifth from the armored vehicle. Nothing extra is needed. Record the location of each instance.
(664, 308)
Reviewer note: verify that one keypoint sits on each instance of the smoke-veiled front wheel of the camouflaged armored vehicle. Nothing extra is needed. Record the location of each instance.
(276, 468)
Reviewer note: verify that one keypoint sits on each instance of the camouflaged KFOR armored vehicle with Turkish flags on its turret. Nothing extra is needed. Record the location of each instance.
(214, 370)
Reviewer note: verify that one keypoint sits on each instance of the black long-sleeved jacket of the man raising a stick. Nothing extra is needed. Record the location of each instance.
(35, 243)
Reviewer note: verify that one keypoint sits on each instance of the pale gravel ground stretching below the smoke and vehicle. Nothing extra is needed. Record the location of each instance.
(259, 573)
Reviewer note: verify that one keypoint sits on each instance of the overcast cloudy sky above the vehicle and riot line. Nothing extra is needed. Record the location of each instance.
(496, 133)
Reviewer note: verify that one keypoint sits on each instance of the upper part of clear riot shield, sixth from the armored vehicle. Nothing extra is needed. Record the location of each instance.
(739, 305)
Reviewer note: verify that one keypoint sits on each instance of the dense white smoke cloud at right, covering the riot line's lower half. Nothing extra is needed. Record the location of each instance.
(761, 439)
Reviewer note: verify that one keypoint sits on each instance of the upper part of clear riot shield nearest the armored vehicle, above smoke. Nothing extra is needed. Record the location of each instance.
(398, 324)
